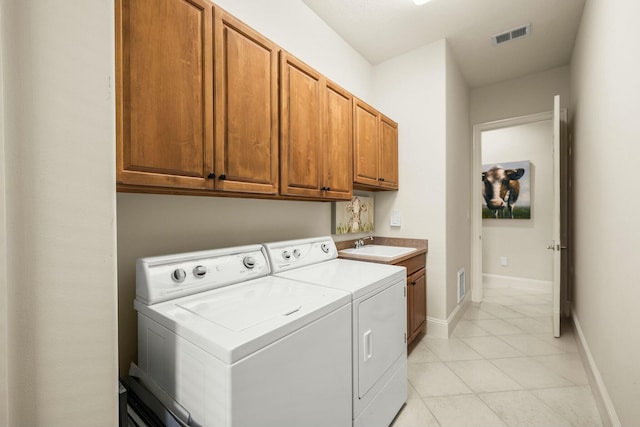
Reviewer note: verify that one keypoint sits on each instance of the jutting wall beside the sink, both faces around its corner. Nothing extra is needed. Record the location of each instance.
(424, 91)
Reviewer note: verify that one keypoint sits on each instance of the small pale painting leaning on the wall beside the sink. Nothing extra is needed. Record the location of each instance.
(354, 216)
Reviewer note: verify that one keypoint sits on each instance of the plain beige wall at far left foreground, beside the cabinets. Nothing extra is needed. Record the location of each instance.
(58, 347)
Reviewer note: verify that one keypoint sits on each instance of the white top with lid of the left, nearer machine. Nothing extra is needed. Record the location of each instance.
(235, 321)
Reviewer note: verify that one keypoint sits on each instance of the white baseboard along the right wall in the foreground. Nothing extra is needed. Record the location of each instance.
(603, 400)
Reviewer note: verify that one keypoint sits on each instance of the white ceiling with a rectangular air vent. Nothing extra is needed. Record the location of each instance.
(382, 29)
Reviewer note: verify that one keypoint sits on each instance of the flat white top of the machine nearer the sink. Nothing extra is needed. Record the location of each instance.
(357, 277)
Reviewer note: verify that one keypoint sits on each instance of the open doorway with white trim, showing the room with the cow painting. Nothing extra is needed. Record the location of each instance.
(507, 249)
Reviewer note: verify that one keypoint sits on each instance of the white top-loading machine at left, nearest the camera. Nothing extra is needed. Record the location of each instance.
(236, 347)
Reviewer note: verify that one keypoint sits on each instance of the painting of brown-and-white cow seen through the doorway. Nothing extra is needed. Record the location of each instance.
(506, 190)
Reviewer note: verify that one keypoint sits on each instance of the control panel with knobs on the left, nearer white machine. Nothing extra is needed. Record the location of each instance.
(172, 276)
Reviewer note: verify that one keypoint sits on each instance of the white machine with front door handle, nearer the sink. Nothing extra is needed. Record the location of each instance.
(379, 320)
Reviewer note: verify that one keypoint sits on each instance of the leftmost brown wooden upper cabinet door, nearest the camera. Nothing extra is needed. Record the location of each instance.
(164, 105)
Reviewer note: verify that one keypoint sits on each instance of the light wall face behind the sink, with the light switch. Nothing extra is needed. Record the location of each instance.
(412, 87)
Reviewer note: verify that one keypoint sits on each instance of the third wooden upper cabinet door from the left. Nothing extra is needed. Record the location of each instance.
(301, 129)
